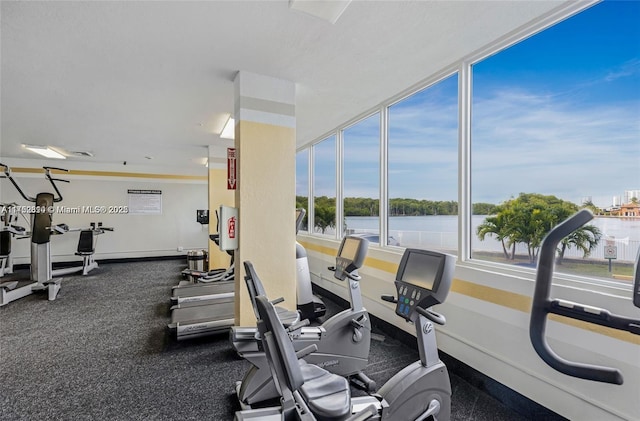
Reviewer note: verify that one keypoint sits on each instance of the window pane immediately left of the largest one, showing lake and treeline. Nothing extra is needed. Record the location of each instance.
(423, 168)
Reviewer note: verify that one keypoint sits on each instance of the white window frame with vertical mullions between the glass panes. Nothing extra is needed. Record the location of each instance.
(463, 68)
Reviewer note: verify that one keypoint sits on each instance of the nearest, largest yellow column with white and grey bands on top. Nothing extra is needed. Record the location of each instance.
(265, 149)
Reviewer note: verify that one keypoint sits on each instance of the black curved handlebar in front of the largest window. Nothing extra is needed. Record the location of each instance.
(544, 305)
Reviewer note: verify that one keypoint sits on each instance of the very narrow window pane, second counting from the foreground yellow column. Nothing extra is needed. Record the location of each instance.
(324, 186)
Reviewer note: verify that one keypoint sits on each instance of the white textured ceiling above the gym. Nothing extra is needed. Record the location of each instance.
(152, 82)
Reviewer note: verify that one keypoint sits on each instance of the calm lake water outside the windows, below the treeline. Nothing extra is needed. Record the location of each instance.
(441, 231)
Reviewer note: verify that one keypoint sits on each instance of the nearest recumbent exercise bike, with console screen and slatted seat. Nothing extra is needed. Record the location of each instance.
(419, 391)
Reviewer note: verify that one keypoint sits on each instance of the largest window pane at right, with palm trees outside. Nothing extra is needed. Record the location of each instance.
(555, 128)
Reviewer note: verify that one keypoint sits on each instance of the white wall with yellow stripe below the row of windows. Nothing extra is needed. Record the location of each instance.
(487, 326)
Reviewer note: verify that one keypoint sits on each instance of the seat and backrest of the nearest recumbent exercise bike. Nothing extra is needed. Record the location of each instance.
(326, 394)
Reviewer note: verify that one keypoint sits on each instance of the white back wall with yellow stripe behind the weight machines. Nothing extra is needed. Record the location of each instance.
(133, 235)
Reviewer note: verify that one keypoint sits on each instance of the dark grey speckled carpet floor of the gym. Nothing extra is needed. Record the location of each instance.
(101, 351)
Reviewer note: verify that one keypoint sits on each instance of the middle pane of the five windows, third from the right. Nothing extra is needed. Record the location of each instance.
(361, 178)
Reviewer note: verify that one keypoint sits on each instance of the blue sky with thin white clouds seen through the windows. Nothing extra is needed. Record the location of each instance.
(558, 113)
